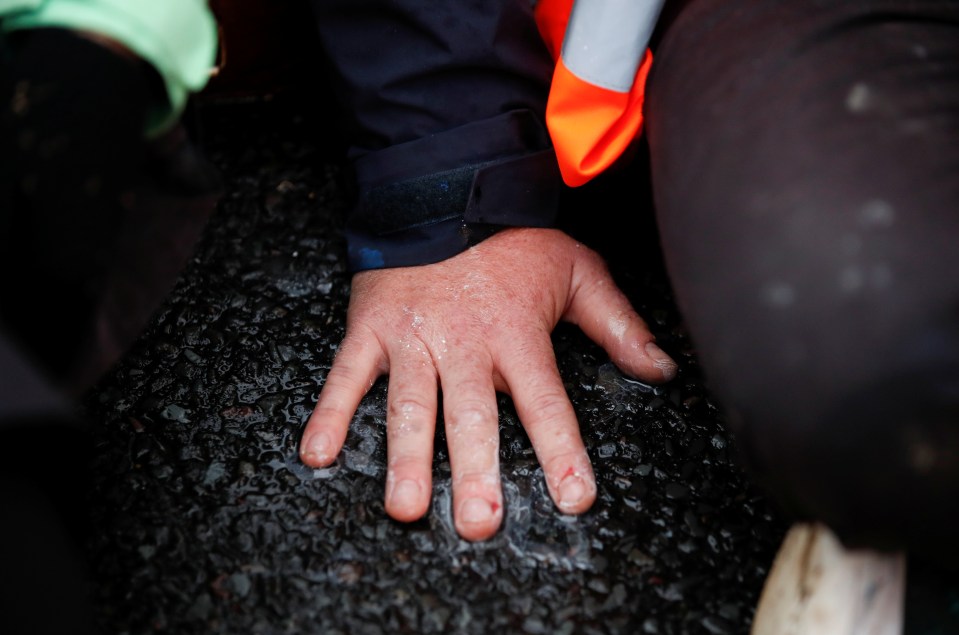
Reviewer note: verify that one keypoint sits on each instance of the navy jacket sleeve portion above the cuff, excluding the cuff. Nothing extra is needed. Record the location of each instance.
(406, 70)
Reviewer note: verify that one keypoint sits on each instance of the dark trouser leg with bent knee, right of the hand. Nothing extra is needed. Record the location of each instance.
(805, 165)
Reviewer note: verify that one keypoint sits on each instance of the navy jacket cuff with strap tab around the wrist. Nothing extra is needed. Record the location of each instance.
(414, 209)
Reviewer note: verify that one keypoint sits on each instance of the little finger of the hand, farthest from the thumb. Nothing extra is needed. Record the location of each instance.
(357, 365)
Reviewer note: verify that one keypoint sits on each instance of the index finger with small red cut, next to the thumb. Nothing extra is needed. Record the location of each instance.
(550, 422)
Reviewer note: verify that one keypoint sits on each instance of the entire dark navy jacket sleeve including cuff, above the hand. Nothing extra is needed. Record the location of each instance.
(445, 104)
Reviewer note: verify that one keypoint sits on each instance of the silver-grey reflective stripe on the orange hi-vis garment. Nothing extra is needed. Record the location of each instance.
(606, 39)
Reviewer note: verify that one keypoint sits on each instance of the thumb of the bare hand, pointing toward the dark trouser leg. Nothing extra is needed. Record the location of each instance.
(604, 313)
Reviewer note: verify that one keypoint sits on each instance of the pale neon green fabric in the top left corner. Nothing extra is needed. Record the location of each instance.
(178, 37)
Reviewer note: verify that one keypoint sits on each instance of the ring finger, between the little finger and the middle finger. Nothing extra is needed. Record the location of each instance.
(410, 425)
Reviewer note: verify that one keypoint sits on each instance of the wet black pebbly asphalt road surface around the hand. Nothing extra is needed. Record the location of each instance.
(206, 521)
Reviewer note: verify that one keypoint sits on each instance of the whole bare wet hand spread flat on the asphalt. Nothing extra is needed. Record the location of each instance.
(474, 324)
